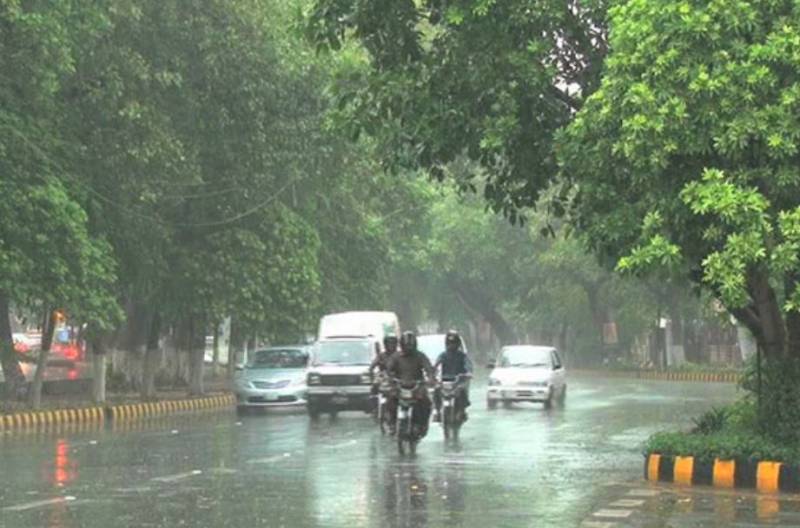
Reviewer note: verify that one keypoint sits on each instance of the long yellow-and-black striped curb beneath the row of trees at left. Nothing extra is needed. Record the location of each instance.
(55, 419)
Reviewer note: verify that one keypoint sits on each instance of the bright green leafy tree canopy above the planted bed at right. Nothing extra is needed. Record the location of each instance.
(695, 129)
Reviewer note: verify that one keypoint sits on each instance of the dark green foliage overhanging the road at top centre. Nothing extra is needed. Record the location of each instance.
(490, 80)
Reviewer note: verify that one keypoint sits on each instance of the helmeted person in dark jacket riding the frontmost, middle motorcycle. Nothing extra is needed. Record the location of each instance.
(411, 366)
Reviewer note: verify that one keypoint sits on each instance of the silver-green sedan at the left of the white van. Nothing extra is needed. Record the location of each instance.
(273, 376)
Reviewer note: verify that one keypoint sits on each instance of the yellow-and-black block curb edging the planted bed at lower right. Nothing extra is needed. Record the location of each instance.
(765, 476)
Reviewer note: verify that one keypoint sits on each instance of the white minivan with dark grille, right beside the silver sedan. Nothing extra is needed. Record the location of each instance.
(338, 375)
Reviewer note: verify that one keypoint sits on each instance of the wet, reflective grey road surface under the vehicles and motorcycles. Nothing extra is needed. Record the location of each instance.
(517, 467)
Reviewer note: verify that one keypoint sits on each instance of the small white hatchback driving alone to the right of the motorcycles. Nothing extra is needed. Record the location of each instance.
(526, 373)
